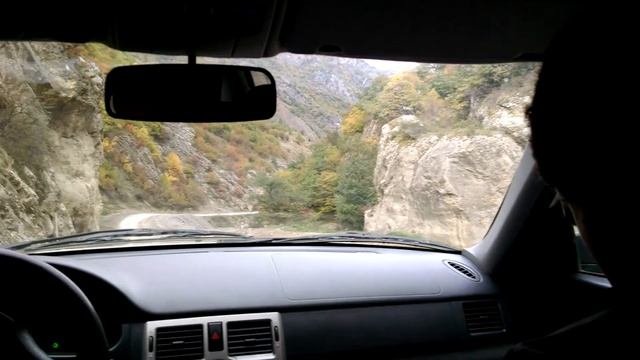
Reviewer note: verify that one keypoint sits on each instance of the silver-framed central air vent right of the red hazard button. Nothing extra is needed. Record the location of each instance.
(249, 337)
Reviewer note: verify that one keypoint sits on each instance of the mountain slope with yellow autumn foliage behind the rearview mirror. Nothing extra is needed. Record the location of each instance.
(190, 166)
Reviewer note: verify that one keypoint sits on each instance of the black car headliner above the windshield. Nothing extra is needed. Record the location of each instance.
(451, 31)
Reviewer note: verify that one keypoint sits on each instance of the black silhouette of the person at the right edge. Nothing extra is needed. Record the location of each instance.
(584, 144)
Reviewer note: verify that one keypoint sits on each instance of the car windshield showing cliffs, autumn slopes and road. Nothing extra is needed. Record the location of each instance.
(424, 151)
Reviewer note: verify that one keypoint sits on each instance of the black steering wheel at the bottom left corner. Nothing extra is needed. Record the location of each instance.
(37, 297)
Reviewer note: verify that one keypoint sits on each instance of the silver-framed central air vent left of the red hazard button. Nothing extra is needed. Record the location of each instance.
(180, 342)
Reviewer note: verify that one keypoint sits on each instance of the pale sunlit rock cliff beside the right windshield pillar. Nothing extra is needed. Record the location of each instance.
(447, 186)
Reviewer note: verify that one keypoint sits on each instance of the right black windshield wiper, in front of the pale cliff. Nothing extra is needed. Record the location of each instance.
(356, 237)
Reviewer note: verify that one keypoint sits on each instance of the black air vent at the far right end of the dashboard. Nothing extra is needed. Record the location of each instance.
(483, 317)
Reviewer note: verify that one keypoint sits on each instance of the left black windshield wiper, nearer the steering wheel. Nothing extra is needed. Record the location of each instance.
(123, 235)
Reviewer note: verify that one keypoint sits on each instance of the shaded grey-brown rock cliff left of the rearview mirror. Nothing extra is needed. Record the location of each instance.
(50, 149)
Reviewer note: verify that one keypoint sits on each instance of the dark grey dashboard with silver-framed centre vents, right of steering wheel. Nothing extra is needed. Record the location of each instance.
(320, 300)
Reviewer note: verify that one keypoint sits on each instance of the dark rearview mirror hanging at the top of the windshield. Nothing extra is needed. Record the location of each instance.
(190, 93)
